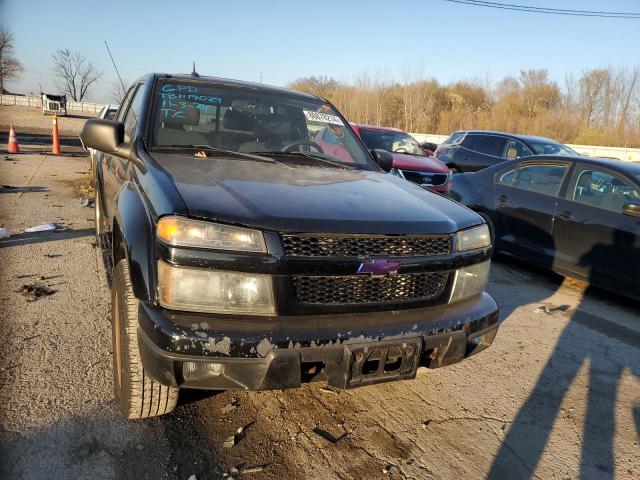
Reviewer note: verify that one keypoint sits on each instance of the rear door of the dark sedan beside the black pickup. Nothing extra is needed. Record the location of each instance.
(526, 197)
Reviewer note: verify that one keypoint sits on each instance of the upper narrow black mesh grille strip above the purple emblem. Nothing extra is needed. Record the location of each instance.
(361, 246)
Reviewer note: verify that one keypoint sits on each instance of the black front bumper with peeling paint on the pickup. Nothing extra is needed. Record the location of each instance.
(229, 352)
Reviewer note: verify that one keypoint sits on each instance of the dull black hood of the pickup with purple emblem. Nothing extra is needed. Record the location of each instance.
(292, 198)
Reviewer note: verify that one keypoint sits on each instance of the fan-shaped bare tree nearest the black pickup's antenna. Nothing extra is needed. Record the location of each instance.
(75, 72)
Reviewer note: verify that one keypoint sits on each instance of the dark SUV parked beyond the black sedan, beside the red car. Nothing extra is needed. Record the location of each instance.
(472, 150)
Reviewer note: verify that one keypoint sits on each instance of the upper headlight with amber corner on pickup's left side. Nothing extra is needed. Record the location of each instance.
(180, 231)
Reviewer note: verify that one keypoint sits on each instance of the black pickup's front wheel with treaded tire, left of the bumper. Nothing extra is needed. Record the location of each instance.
(136, 394)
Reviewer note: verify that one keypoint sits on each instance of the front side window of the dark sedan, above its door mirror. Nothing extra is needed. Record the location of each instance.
(603, 189)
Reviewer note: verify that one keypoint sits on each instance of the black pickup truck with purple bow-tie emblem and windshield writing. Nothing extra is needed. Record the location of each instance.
(242, 256)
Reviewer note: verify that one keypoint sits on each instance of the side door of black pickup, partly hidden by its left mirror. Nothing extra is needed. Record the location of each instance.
(114, 167)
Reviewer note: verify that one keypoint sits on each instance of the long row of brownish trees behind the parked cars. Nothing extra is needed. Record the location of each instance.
(599, 107)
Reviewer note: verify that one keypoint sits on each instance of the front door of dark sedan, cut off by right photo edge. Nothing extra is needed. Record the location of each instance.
(594, 238)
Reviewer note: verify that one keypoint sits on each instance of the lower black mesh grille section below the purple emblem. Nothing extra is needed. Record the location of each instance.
(356, 289)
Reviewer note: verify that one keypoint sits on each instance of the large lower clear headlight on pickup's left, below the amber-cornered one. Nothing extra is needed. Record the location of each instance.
(215, 291)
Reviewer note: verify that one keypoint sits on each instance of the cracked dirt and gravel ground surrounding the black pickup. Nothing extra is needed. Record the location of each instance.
(556, 396)
